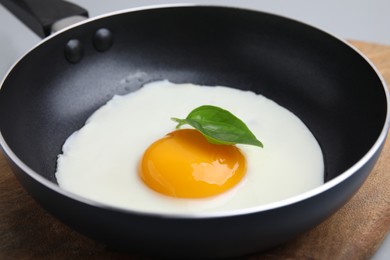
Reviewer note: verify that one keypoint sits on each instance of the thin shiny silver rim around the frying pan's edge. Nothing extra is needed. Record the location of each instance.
(203, 215)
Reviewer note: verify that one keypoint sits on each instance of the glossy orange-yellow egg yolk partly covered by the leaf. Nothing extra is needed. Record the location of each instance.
(184, 164)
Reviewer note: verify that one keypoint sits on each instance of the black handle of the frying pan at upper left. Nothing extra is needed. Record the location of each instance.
(41, 15)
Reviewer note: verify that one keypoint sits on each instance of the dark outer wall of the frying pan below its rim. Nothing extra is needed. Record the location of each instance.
(175, 237)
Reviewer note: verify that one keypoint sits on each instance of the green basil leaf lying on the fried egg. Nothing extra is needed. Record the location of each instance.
(219, 126)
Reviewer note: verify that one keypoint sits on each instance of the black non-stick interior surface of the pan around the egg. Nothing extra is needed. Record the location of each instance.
(323, 81)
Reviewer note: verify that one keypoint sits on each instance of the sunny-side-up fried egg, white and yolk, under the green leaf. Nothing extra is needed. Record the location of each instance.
(129, 155)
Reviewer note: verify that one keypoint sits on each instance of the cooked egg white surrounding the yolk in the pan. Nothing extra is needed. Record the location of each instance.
(100, 161)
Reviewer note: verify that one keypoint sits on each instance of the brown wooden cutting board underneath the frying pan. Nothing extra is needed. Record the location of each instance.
(354, 232)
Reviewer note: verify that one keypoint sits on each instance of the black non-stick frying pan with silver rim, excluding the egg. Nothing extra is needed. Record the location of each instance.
(51, 91)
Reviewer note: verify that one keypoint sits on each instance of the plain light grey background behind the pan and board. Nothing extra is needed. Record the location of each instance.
(348, 19)
